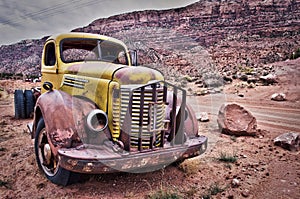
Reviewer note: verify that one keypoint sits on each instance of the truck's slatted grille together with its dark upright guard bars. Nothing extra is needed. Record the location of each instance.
(142, 116)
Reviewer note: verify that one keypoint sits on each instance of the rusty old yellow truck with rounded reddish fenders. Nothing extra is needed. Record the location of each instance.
(98, 111)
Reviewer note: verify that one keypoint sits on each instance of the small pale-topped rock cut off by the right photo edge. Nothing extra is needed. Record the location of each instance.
(289, 141)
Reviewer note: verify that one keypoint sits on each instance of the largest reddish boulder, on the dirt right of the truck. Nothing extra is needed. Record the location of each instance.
(233, 119)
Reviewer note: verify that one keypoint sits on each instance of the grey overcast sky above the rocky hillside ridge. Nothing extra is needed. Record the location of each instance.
(34, 19)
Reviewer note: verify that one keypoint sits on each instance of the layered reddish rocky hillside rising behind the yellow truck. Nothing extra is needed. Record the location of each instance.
(210, 34)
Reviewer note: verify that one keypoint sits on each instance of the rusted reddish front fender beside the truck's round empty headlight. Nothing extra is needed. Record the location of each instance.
(64, 118)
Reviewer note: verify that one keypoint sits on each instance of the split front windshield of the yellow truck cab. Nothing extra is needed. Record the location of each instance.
(77, 50)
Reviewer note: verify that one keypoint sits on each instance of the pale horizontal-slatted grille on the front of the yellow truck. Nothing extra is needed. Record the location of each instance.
(143, 110)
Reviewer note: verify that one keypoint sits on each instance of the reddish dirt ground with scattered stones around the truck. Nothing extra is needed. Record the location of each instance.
(261, 170)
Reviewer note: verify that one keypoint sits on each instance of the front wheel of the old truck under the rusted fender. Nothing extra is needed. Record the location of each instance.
(46, 160)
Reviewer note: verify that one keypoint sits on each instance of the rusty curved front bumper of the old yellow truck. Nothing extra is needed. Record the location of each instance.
(103, 159)
